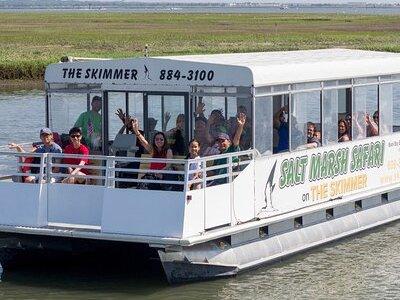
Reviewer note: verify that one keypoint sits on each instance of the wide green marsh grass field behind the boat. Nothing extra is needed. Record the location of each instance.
(30, 41)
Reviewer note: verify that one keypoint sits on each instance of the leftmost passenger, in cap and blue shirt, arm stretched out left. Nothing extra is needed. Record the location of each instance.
(49, 146)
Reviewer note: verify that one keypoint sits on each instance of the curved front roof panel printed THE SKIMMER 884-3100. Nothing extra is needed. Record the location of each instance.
(144, 71)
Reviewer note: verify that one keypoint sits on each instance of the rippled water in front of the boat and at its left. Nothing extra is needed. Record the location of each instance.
(363, 266)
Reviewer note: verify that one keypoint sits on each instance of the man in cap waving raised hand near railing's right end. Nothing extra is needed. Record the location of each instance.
(227, 146)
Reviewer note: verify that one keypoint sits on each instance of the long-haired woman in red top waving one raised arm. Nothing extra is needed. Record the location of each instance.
(157, 149)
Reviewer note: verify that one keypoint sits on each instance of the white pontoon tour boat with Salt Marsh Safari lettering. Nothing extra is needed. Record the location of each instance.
(284, 191)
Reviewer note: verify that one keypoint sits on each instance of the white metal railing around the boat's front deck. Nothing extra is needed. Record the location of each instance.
(128, 172)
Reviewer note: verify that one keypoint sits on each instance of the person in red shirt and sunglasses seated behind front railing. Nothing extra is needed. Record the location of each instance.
(76, 147)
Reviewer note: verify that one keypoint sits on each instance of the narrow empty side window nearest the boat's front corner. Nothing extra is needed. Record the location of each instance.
(263, 129)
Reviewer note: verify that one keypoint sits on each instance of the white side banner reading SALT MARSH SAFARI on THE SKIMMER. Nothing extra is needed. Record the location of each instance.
(298, 179)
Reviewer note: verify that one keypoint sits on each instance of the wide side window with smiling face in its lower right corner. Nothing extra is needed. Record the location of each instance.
(305, 127)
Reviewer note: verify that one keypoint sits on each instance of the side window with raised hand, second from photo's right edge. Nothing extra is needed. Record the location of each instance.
(365, 105)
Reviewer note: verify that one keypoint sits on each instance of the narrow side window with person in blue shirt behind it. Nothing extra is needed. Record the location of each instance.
(280, 136)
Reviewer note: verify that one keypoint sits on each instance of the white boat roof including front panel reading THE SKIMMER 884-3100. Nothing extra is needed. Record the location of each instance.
(237, 69)
